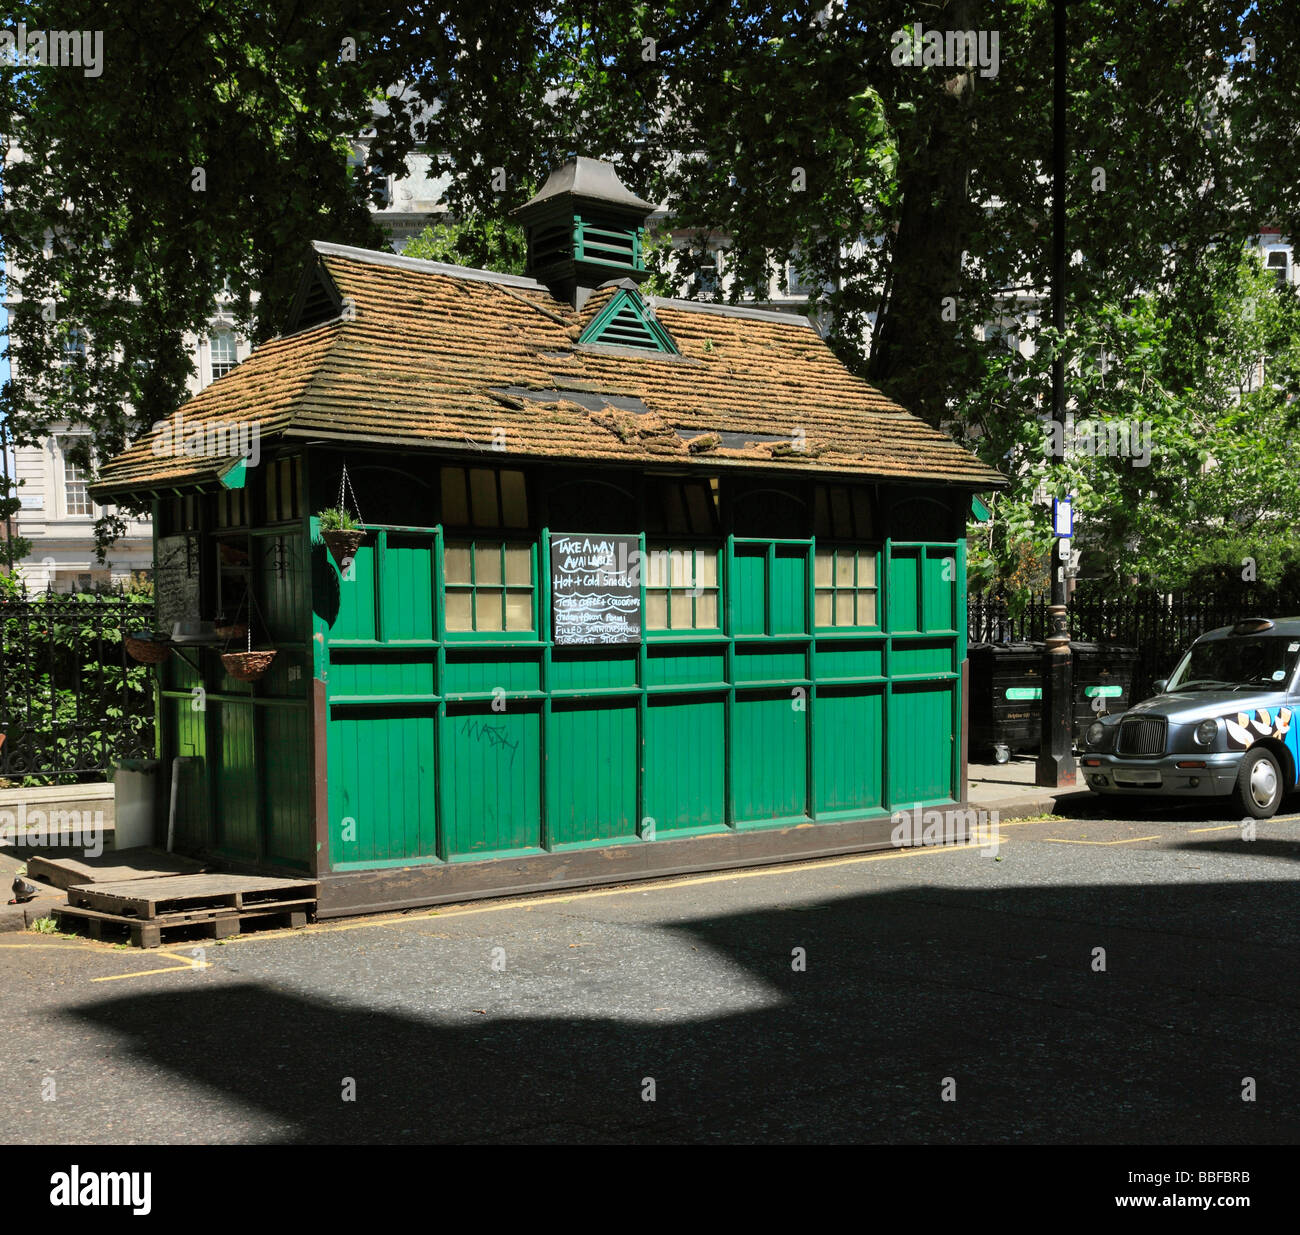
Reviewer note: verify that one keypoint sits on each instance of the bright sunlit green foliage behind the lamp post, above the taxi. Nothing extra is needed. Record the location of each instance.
(1182, 365)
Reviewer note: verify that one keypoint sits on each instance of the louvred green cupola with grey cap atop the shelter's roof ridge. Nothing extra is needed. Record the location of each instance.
(584, 229)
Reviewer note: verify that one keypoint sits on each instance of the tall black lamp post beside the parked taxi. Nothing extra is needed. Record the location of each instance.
(1056, 768)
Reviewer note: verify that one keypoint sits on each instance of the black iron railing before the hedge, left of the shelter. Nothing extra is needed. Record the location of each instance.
(72, 701)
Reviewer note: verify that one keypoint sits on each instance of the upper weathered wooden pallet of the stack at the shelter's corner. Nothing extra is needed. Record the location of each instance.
(154, 899)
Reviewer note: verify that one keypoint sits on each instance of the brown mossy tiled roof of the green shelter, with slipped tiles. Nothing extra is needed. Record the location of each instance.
(432, 356)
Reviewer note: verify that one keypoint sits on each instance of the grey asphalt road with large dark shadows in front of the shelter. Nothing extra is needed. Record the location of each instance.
(946, 969)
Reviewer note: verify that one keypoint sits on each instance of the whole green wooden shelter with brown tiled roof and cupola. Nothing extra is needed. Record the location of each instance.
(648, 586)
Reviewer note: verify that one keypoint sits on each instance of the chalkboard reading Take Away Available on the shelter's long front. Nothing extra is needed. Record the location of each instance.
(596, 590)
